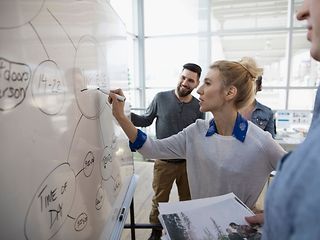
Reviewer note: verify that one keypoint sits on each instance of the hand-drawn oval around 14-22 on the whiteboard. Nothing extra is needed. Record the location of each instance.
(48, 87)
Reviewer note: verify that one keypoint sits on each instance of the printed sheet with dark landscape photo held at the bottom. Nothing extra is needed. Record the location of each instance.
(220, 221)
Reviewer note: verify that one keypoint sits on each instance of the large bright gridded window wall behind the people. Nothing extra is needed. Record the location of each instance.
(202, 31)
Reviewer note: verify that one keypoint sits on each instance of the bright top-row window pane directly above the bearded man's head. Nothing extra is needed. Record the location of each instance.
(171, 17)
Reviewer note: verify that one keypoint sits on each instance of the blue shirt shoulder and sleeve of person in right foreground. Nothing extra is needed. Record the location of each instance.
(294, 198)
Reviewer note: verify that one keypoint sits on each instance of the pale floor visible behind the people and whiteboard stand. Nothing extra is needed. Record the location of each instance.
(143, 196)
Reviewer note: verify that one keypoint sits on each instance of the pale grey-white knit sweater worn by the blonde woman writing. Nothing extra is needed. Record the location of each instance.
(220, 164)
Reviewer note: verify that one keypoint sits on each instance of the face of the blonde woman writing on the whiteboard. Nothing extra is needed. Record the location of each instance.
(211, 92)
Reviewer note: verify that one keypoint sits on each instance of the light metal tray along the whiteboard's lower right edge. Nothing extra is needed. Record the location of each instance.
(117, 231)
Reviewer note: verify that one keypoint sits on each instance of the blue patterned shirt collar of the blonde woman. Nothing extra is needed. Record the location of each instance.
(239, 130)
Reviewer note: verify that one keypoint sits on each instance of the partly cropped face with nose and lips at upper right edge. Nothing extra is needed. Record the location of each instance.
(310, 11)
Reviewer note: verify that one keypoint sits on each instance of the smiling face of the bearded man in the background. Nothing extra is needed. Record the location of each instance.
(187, 82)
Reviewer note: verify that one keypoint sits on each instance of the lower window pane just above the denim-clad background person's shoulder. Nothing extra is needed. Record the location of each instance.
(273, 98)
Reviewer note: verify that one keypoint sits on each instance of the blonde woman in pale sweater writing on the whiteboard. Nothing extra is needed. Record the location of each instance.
(224, 154)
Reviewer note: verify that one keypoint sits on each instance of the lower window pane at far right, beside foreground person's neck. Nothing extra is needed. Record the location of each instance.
(301, 99)
